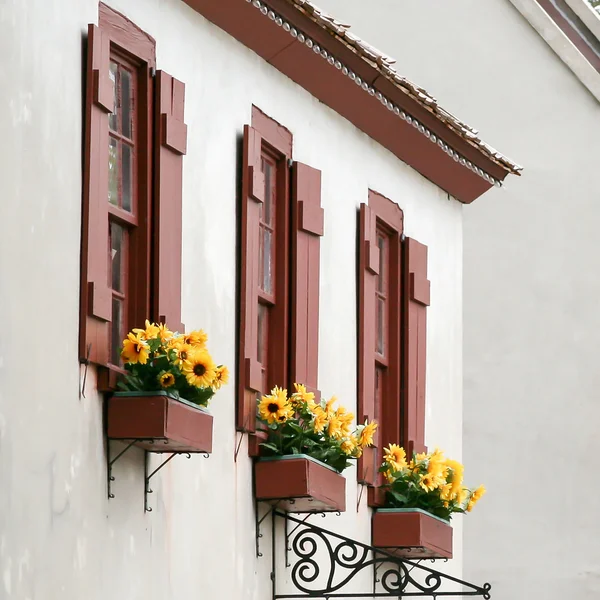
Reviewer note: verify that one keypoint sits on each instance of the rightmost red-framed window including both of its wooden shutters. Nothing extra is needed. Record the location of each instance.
(393, 294)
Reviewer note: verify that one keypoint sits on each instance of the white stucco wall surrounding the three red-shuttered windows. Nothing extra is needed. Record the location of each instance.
(60, 537)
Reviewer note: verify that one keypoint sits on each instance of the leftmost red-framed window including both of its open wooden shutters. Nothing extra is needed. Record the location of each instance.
(134, 142)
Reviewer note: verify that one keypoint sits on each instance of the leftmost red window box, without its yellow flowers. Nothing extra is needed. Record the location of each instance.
(159, 423)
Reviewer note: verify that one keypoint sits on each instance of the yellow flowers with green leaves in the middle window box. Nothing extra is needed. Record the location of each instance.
(299, 425)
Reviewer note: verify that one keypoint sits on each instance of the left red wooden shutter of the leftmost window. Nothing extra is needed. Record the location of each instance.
(96, 297)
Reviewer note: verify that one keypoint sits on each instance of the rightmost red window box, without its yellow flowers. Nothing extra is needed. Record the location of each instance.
(411, 533)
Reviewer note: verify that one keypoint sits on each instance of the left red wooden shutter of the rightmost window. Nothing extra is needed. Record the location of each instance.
(368, 271)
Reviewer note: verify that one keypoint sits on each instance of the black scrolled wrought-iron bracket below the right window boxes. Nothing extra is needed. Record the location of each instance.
(324, 564)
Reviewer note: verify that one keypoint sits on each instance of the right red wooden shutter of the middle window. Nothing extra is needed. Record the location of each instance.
(307, 229)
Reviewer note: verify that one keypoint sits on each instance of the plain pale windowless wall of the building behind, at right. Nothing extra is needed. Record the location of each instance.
(531, 288)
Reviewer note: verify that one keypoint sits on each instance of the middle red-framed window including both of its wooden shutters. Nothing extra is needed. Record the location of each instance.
(281, 225)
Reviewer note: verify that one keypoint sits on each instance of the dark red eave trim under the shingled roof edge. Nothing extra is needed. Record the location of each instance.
(245, 23)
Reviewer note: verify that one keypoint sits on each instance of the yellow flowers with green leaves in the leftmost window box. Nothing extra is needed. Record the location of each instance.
(157, 359)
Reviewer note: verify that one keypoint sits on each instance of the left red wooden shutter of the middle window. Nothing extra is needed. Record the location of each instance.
(253, 189)
